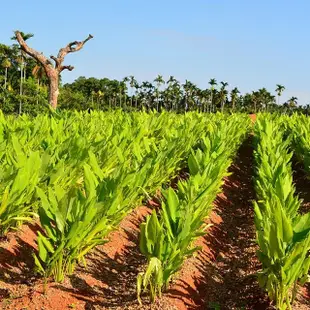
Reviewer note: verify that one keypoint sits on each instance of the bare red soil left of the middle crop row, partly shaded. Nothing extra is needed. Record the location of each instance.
(110, 268)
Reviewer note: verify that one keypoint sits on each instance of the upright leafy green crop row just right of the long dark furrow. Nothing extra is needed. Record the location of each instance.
(283, 234)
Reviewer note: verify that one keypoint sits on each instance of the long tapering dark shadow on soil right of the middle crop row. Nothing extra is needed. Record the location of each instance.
(229, 281)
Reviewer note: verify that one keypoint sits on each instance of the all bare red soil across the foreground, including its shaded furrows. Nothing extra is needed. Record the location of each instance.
(221, 275)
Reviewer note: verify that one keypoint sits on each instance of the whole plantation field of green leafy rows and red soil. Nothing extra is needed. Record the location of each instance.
(116, 210)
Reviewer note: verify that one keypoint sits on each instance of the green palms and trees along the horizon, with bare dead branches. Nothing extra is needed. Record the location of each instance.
(25, 86)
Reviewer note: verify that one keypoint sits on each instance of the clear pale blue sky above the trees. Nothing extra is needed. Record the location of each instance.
(250, 44)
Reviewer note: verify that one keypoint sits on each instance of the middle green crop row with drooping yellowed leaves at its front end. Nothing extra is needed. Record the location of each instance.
(167, 237)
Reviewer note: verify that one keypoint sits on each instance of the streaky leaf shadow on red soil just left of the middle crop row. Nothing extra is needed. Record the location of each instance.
(116, 277)
